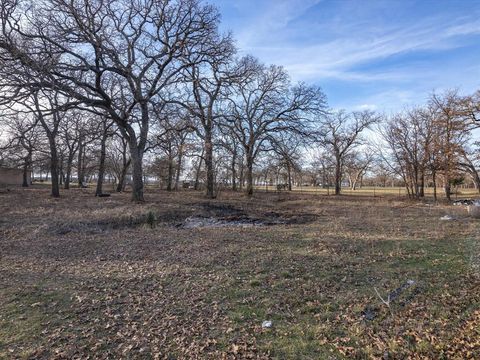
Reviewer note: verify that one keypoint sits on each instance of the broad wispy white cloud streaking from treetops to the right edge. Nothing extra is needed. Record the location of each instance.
(269, 36)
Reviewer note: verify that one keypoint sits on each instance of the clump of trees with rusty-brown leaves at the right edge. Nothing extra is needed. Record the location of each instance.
(436, 141)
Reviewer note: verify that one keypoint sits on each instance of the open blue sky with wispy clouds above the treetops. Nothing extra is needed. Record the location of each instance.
(382, 55)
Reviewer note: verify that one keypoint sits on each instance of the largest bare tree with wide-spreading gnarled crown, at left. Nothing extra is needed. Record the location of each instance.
(112, 55)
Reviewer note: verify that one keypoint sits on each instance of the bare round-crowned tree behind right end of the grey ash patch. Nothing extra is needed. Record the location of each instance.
(263, 103)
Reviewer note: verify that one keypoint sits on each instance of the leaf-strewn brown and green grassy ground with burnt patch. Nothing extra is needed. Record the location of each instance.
(182, 277)
